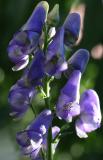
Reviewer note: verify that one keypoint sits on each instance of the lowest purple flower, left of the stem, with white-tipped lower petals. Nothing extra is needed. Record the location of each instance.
(31, 139)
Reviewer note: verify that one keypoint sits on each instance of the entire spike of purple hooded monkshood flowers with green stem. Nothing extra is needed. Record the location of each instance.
(44, 43)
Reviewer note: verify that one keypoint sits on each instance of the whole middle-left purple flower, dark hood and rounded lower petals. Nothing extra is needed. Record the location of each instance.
(21, 93)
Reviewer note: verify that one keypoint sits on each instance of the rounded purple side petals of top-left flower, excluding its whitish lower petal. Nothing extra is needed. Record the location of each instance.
(22, 44)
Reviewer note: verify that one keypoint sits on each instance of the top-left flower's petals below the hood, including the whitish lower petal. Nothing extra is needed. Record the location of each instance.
(19, 48)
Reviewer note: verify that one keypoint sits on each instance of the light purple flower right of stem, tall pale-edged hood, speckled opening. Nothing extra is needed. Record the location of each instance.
(68, 103)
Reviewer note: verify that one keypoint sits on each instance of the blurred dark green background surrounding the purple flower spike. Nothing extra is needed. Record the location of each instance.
(13, 14)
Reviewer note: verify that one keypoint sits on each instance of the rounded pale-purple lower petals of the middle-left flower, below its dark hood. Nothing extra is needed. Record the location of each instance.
(19, 98)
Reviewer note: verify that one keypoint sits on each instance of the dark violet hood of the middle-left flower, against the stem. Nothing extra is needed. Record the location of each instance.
(35, 72)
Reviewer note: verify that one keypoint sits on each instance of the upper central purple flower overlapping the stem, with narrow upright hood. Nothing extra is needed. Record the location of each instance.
(55, 59)
